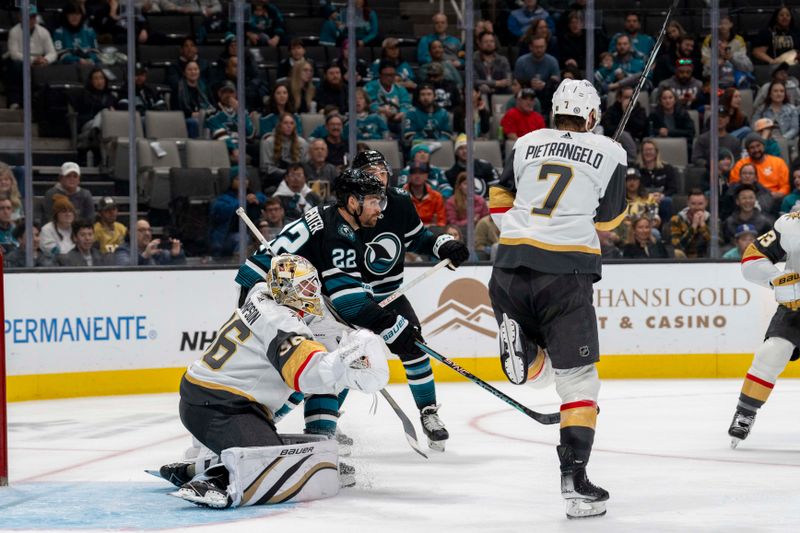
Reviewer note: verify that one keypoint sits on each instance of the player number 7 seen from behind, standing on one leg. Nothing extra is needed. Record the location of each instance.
(559, 186)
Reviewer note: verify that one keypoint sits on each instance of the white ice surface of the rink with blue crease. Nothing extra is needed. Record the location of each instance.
(661, 450)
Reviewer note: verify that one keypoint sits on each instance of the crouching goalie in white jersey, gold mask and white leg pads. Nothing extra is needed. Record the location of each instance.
(264, 353)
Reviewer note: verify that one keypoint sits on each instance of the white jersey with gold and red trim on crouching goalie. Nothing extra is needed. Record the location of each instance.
(261, 355)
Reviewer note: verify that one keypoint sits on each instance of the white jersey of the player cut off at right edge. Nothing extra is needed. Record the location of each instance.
(781, 243)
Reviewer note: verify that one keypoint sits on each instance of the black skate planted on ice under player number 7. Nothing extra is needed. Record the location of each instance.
(584, 500)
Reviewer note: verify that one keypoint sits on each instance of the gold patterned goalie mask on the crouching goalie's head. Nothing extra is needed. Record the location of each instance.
(293, 282)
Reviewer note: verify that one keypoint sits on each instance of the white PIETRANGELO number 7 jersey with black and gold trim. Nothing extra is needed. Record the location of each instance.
(557, 188)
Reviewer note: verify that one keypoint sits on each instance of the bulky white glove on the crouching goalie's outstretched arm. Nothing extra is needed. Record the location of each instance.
(359, 363)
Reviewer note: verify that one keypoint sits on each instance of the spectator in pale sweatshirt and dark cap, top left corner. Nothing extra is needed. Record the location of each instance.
(43, 53)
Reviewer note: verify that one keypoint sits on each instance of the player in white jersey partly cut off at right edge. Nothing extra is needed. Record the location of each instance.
(782, 338)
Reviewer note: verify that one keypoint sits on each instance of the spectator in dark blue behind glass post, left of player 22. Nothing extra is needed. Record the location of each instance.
(224, 238)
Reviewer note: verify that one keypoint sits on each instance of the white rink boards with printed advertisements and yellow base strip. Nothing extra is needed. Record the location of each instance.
(73, 334)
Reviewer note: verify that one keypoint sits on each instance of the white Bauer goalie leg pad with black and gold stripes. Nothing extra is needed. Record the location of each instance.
(304, 469)
